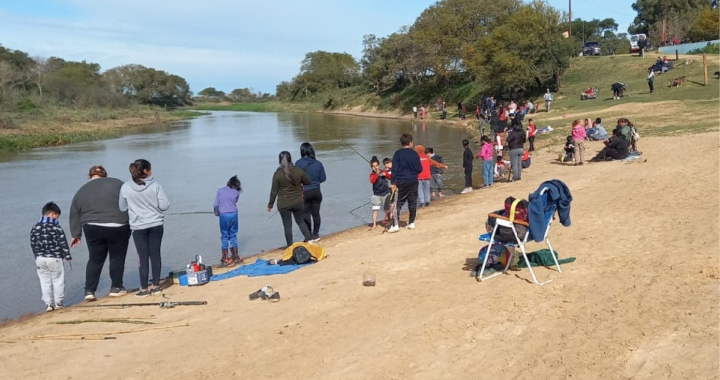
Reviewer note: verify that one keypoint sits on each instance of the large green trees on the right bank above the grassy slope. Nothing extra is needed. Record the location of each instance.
(502, 45)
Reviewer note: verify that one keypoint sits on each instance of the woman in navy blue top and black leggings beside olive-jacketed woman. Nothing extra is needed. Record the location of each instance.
(311, 193)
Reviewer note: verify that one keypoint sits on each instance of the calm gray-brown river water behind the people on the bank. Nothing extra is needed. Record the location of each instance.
(192, 160)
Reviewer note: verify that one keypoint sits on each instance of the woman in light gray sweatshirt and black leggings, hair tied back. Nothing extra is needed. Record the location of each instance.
(145, 202)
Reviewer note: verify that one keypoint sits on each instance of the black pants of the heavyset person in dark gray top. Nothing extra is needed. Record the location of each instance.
(104, 241)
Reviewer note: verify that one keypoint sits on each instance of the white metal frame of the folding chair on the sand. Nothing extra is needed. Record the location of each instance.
(504, 221)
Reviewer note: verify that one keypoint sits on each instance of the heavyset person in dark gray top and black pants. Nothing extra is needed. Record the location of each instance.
(95, 211)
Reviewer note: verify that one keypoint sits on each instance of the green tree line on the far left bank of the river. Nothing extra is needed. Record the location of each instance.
(27, 83)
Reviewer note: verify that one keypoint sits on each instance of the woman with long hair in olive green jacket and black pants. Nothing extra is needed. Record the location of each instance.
(287, 183)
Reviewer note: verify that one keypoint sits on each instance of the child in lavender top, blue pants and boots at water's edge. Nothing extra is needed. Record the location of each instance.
(225, 208)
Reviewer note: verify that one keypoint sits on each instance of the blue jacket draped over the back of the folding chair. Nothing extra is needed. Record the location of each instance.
(557, 195)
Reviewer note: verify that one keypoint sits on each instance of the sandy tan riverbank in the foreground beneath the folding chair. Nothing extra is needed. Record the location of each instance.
(640, 302)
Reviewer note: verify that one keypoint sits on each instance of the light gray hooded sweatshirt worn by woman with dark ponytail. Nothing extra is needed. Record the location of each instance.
(145, 203)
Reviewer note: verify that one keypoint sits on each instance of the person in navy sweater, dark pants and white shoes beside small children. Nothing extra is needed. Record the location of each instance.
(406, 167)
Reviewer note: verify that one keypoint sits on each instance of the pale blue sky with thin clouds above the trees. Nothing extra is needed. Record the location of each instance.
(225, 44)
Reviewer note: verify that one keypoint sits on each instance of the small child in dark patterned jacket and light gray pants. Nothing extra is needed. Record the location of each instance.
(49, 245)
